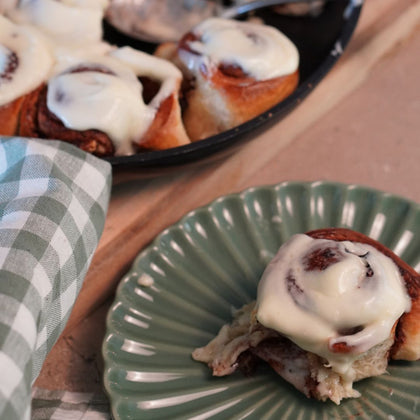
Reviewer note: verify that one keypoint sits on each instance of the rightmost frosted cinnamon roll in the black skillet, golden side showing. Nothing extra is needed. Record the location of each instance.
(237, 71)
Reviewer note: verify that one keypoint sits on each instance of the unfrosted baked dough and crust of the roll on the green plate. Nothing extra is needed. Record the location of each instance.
(240, 344)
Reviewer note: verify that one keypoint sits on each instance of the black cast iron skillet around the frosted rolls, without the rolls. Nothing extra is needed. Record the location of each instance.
(320, 41)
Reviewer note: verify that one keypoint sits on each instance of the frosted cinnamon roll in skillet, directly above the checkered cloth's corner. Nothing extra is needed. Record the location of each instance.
(101, 105)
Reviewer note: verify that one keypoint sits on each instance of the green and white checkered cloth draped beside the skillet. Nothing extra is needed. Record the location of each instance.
(53, 202)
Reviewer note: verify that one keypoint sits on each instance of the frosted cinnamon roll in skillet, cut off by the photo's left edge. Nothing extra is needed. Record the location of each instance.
(25, 63)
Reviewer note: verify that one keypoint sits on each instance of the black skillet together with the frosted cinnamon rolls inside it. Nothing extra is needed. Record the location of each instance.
(66, 74)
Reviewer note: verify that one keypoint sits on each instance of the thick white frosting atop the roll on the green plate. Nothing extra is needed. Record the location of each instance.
(362, 289)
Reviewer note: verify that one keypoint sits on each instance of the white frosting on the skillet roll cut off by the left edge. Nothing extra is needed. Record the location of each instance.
(34, 60)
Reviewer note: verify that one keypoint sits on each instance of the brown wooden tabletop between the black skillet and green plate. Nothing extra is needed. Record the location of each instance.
(361, 125)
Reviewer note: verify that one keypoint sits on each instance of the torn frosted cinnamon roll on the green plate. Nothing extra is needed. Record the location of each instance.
(333, 307)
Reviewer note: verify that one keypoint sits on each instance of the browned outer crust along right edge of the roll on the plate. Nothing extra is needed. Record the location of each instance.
(407, 333)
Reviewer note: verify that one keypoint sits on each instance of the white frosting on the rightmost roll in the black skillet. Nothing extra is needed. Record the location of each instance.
(261, 51)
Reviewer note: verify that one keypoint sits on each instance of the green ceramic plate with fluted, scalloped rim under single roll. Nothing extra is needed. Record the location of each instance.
(208, 264)
